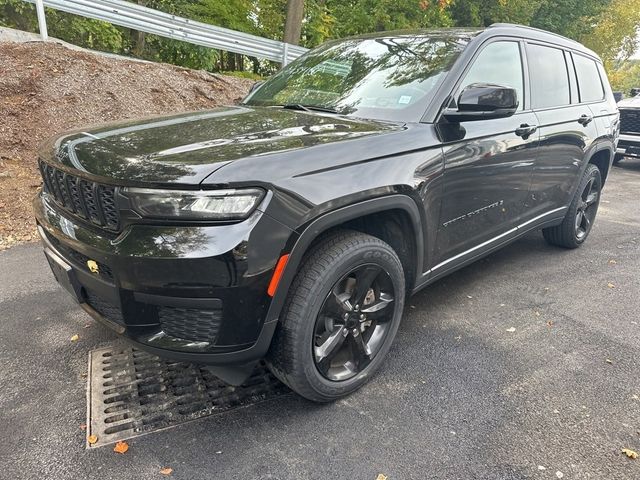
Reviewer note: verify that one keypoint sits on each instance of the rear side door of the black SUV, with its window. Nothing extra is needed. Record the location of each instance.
(565, 124)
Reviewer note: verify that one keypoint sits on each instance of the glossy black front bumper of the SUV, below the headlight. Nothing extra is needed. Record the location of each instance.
(188, 293)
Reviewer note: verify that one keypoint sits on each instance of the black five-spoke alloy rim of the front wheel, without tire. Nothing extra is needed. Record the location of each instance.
(353, 322)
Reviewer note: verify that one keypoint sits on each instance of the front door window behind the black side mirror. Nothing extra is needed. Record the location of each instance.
(499, 63)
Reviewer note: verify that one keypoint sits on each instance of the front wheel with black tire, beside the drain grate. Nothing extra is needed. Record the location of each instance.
(299, 355)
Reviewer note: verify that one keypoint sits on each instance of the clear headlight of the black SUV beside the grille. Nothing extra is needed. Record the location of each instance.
(194, 205)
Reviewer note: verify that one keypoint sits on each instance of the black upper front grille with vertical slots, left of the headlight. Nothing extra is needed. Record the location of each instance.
(89, 200)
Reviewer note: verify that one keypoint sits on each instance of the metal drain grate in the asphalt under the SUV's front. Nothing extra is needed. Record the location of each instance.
(132, 393)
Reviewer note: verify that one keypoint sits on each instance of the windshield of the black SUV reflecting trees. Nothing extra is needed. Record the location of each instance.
(389, 78)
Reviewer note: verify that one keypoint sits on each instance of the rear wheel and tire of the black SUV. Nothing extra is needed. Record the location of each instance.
(577, 223)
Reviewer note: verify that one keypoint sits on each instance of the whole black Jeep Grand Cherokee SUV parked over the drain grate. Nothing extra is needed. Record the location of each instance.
(293, 226)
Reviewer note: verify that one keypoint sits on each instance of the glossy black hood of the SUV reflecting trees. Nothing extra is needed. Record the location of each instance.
(187, 148)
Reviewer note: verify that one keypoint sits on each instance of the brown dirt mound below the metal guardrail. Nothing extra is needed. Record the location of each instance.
(47, 88)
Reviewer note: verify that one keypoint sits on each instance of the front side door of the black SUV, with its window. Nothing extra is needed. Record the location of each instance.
(488, 163)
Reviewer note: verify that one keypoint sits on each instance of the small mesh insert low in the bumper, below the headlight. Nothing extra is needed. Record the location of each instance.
(191, 323)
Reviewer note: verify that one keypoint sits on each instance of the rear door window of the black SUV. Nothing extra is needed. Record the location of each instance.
(548, 74)
